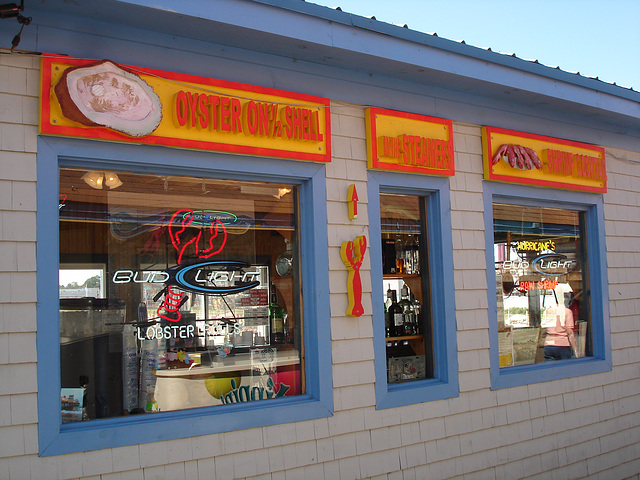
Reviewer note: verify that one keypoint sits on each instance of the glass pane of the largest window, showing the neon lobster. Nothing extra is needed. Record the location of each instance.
(176, 292)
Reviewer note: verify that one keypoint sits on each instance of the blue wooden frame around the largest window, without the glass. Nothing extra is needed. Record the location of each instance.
(316, 401)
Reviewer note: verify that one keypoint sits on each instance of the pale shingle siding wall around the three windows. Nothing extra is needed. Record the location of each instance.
(583, 427)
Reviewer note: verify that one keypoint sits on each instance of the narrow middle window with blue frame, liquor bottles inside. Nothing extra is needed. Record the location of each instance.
(414, 316)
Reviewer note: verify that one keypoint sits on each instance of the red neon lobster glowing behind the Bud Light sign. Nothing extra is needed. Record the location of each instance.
(180, 220)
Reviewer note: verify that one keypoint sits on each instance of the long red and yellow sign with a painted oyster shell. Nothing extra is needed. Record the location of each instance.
(106, 101)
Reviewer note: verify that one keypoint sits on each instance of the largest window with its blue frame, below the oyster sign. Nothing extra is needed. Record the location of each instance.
(179, 307)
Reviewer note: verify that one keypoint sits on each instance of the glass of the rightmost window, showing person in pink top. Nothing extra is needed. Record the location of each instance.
(542, 296)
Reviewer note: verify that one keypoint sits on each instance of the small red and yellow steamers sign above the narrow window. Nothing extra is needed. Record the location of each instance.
(407, 142)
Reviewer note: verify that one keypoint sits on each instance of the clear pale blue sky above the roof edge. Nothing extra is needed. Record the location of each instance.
(594, 37)
